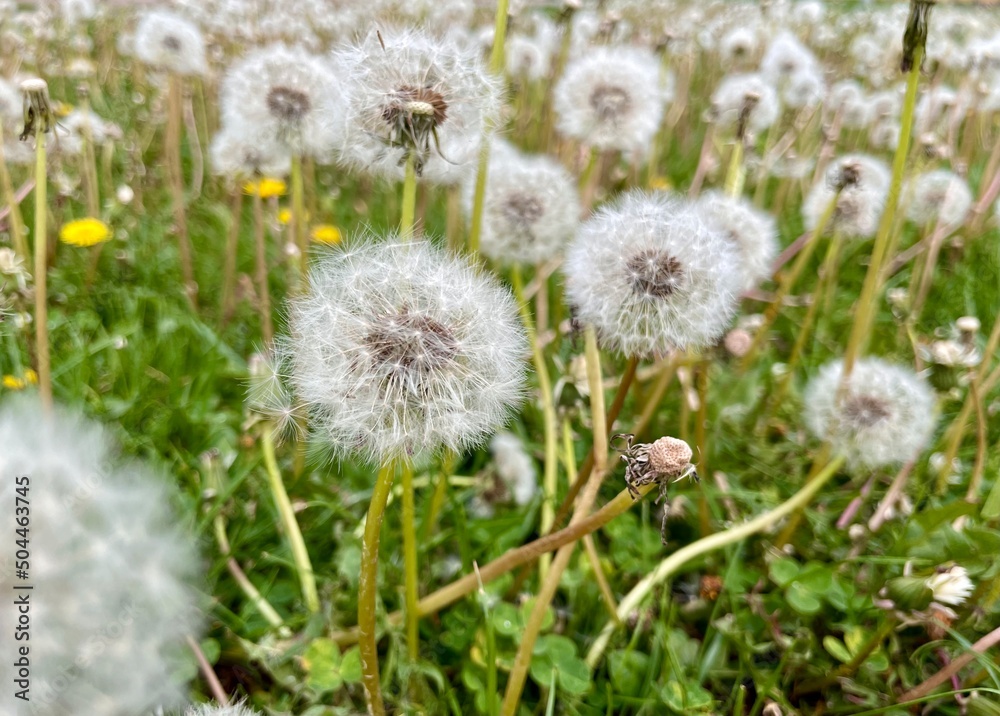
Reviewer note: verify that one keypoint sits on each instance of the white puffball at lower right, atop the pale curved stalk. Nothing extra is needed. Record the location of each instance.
(886, 414)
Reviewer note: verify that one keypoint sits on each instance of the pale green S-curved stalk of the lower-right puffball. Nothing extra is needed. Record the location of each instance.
(707, 544)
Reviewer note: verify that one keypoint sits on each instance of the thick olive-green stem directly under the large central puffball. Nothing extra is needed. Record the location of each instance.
(368, 591)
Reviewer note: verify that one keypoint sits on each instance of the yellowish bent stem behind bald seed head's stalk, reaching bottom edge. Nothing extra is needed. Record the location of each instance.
(522, 661)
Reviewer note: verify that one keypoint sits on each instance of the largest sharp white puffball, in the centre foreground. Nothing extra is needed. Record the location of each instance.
(401, 348)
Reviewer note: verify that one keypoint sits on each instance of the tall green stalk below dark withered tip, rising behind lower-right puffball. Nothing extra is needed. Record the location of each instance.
(865, 315)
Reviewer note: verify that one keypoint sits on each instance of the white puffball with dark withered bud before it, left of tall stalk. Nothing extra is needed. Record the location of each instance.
(859, 206)
